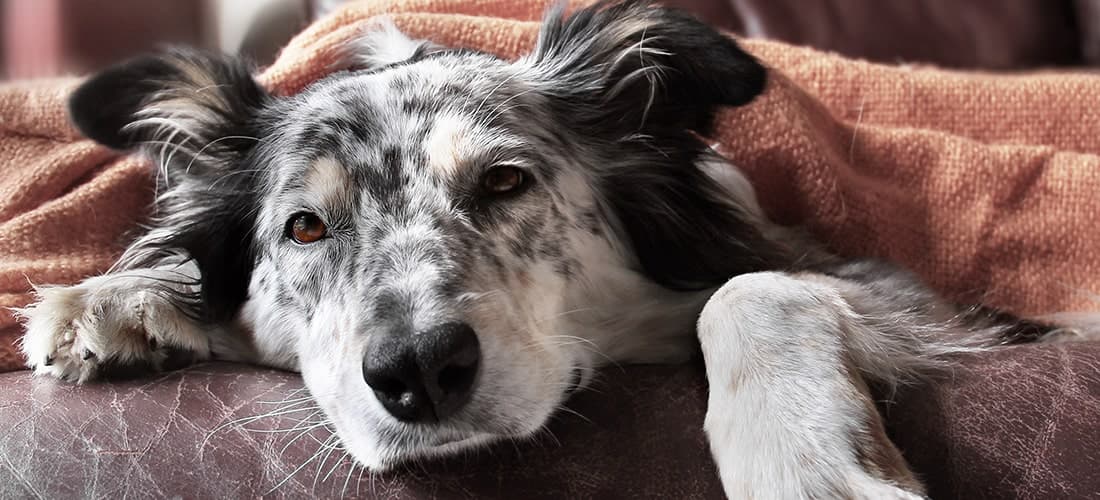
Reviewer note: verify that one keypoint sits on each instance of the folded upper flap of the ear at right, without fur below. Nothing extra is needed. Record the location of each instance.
(635, 65)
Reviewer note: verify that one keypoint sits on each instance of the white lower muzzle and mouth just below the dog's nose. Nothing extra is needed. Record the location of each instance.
(509, 401)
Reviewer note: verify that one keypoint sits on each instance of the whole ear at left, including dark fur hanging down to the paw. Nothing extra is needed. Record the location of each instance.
(197, 117)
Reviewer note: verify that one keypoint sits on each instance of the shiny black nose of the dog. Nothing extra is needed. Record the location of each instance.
(427, 376)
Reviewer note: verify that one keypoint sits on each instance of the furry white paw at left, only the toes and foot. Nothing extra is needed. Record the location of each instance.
(73, 332)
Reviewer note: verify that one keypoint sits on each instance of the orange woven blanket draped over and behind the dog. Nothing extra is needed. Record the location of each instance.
(984, 185)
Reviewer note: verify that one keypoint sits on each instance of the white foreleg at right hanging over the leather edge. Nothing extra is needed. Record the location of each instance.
(789, 415)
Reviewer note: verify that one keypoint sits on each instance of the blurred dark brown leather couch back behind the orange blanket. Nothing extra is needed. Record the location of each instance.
(988, 35)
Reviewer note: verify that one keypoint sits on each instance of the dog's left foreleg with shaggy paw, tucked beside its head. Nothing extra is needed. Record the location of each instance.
(125, 318)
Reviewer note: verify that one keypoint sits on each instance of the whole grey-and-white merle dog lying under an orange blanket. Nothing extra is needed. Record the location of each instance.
(447, 245)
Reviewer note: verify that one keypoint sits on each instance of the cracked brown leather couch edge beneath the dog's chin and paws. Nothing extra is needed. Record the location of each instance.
(1022, 423)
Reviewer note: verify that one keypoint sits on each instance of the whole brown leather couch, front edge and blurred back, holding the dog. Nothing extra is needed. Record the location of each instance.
(1022, 423)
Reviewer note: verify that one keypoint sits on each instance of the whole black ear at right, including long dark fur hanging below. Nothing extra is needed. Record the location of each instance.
(640, 84)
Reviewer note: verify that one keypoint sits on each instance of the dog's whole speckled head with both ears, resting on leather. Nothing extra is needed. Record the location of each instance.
(444, 242)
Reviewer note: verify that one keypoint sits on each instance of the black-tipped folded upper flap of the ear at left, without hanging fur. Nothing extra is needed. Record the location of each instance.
(179, 102)
